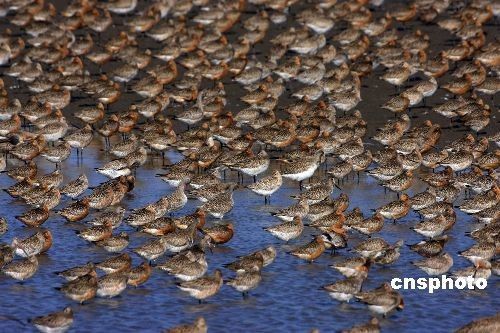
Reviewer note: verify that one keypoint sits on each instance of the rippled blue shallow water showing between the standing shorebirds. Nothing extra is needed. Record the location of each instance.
(288, 298)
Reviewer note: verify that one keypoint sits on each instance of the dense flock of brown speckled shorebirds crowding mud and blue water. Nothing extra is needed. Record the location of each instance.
(318, 135)
